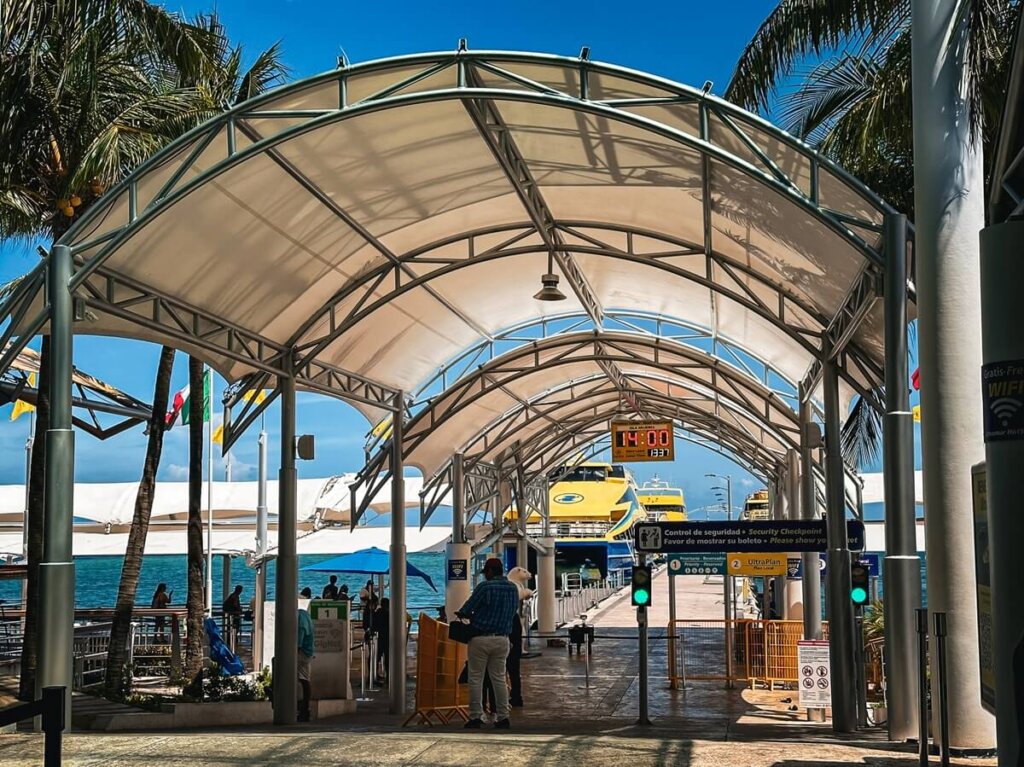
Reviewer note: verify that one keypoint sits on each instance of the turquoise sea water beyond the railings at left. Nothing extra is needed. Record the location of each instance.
(97, 580)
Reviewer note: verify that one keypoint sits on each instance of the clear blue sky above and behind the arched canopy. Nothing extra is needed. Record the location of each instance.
(690, 42)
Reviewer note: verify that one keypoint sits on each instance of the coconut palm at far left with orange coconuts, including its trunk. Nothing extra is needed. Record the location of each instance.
(90, 90)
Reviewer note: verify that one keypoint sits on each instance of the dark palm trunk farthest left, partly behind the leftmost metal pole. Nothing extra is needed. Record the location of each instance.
(37, 472)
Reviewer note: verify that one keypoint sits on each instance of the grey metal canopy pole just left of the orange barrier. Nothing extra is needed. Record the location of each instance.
(397, 659)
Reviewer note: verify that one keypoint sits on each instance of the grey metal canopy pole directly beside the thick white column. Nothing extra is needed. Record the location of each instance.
(902, 570)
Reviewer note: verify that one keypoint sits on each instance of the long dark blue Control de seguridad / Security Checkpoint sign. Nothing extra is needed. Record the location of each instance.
(755, 538)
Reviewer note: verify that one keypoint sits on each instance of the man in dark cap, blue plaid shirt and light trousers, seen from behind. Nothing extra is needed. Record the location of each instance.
(491, 611)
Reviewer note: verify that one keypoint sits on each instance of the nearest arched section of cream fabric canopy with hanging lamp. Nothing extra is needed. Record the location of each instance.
(382, 218)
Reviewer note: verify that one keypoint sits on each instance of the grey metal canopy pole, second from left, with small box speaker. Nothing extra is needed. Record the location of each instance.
(286, 599)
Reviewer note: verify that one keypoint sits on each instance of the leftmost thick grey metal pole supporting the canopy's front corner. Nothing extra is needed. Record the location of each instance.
(57, 571)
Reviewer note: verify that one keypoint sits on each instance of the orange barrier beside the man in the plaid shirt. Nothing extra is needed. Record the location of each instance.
(439, 664)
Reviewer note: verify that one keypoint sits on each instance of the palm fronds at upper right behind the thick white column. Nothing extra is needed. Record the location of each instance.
(838, 75)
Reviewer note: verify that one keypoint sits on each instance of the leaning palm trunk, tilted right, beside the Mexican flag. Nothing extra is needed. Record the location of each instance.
(117, 653)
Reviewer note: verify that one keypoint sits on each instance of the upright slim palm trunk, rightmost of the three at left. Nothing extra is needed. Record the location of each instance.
(196, 604)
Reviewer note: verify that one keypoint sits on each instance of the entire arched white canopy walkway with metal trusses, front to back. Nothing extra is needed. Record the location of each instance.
(358, 232)
